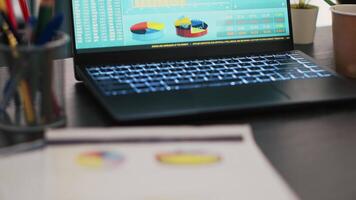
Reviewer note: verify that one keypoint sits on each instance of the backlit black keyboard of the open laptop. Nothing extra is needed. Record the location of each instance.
(116, 80)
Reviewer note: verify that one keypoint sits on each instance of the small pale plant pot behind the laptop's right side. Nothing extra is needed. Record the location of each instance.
(304, 24)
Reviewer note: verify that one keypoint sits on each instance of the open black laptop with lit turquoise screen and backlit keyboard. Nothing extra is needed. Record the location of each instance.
(153, 59)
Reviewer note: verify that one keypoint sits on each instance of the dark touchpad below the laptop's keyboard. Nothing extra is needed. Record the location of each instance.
(245, 96)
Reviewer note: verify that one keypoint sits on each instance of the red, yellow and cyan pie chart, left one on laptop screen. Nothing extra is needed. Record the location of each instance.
(147, 31)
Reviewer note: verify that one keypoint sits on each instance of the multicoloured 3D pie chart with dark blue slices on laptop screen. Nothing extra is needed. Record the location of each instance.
(188, 28)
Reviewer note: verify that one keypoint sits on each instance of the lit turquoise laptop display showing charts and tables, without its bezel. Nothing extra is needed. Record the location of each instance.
(122, 25)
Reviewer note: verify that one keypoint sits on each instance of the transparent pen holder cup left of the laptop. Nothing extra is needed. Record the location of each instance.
(32, 86)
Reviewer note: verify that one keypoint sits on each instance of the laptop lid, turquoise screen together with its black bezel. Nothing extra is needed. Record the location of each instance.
(145, 30)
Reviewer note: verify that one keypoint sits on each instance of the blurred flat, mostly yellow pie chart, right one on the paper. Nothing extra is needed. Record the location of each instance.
(187, 158)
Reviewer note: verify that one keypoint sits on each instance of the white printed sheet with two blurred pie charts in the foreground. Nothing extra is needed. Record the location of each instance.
(166, 170)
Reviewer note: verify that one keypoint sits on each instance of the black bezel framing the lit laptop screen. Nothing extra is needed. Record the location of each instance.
(191, 52)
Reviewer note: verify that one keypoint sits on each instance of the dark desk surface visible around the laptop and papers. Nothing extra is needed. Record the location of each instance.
(313, 148)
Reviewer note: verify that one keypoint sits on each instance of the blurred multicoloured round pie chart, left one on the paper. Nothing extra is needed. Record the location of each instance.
(99, 159)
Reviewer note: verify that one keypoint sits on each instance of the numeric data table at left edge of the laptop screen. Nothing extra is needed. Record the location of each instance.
(98, 22)
